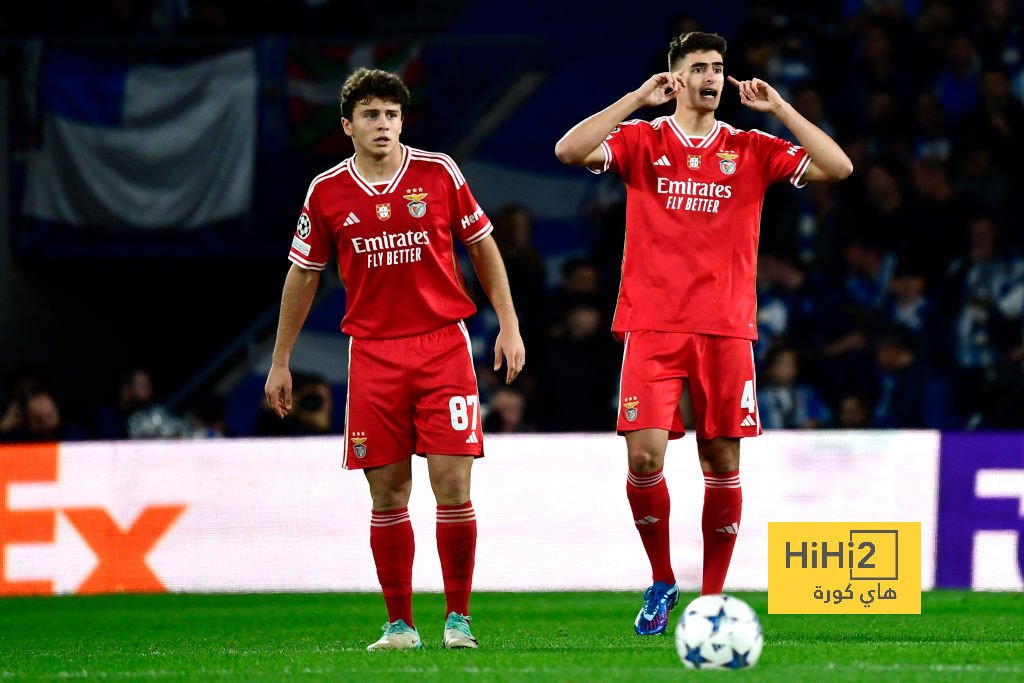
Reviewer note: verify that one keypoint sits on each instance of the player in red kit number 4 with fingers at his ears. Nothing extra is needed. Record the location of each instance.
(687, 303)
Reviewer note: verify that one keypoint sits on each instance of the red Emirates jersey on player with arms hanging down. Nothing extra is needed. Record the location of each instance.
(396, 250)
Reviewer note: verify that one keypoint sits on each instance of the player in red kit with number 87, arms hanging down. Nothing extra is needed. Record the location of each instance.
(392, 215)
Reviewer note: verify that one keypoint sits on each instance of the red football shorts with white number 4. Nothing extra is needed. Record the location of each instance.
(720, 372)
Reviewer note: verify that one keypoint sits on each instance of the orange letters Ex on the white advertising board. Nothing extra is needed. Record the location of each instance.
(120, 549)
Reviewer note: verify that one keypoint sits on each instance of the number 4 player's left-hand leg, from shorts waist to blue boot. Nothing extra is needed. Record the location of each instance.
(651, 389)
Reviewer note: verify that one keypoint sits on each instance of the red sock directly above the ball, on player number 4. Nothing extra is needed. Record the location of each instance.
(720, 524)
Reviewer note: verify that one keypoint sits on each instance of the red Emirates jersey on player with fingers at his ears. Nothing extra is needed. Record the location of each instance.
(693, 221)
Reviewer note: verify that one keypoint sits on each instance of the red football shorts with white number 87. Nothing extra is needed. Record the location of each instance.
(412, 395)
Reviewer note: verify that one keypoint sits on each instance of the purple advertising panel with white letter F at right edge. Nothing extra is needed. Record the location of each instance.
(982, 513)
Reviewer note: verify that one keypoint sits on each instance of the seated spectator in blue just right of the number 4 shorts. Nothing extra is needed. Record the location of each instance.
(784, 403)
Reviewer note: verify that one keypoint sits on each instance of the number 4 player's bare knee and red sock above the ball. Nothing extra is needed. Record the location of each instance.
(722, 508)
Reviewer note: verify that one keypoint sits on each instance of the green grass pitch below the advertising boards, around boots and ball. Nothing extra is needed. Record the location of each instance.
(545, 636)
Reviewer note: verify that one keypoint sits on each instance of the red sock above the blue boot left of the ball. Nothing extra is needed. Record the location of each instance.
(649, 496)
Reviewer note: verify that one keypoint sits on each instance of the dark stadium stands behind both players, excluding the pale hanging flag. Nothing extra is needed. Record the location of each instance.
(900, 292)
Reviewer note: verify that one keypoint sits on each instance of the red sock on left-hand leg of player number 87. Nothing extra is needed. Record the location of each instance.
(394, 547)
